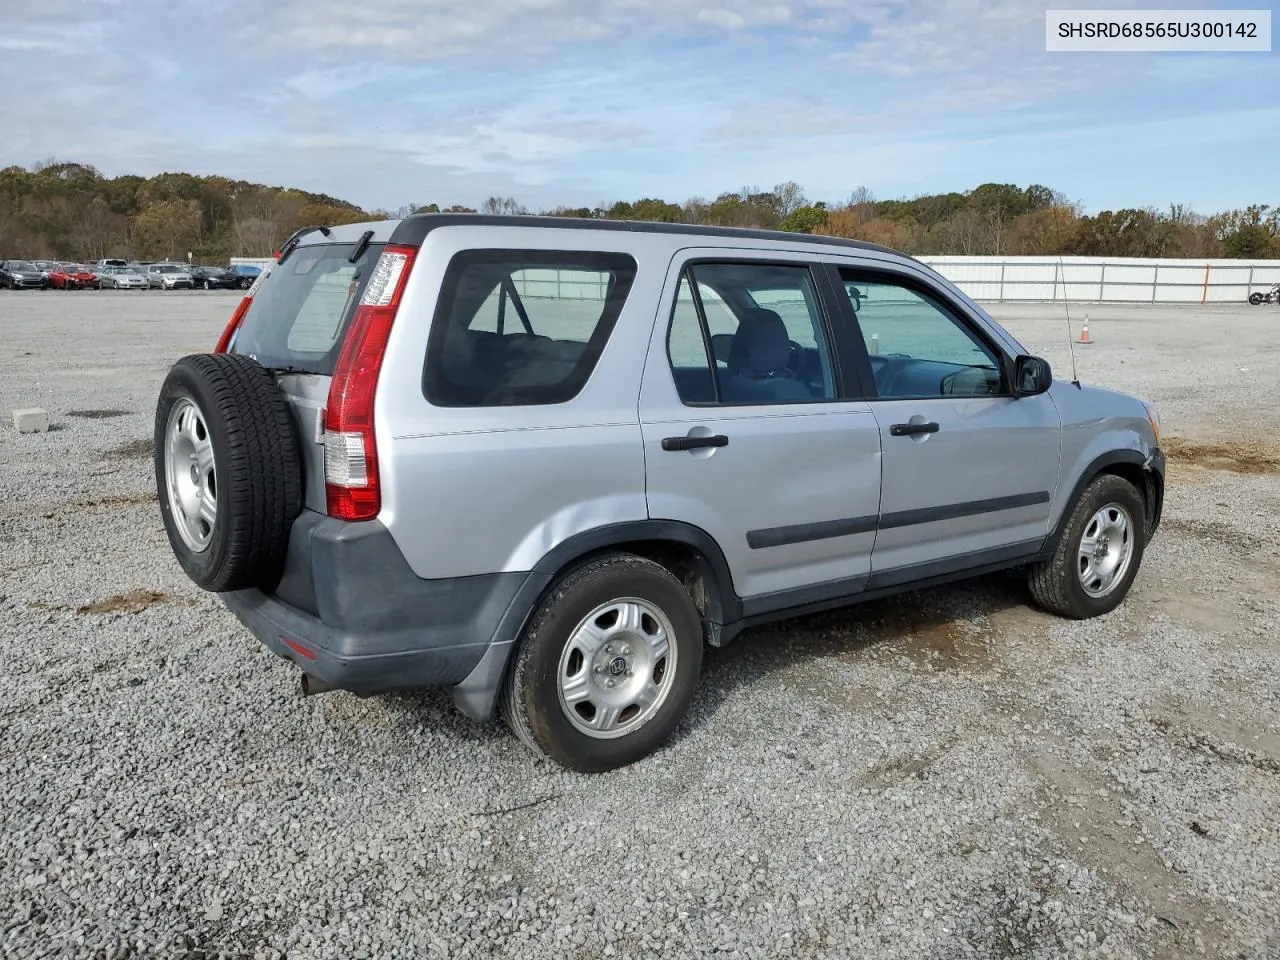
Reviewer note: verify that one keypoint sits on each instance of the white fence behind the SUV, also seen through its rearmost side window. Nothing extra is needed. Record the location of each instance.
(996, 280)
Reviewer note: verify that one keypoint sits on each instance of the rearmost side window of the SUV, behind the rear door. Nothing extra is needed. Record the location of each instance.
(520, 327)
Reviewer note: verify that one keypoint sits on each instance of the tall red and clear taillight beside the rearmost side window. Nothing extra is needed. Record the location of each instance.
(350, 449)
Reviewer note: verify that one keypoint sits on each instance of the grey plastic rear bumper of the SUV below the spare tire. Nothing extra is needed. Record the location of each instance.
(351, 612)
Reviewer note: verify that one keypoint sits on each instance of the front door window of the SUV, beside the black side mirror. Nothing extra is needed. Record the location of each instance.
(918, 349)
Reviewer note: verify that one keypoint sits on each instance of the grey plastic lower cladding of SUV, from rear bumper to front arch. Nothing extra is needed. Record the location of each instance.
(350, 611)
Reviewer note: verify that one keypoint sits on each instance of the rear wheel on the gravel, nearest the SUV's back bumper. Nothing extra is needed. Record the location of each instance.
(607, 666)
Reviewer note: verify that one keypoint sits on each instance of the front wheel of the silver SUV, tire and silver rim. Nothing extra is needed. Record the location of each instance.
(1099, 554)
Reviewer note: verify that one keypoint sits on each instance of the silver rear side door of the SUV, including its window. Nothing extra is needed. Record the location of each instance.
(749, 428)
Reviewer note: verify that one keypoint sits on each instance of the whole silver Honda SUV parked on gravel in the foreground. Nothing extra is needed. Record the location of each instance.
(543, 463)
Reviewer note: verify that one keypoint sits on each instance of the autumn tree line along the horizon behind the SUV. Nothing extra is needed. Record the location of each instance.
(62, 211)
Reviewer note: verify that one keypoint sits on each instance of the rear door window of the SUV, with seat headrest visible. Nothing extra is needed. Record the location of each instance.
(749, 335)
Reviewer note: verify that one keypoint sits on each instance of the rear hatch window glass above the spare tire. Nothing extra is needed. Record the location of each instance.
(300, 312)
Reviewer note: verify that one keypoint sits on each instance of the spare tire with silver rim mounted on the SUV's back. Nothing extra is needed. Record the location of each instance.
(228, 474)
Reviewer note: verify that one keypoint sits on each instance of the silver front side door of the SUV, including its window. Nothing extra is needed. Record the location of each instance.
(970, 472)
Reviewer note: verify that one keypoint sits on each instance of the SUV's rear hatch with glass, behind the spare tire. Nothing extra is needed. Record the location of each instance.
(295, 326)
